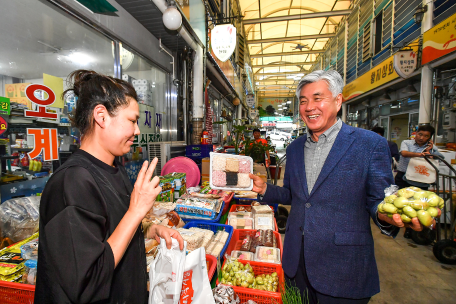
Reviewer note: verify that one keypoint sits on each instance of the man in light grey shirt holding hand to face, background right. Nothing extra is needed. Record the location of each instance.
(418, 147)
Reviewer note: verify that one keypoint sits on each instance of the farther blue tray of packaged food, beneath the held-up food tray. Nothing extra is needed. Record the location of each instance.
(190, 207)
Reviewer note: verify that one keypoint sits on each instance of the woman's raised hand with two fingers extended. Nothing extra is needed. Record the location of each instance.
(145, 191)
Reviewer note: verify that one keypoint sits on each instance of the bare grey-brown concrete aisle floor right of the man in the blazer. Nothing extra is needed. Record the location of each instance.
(409, 273)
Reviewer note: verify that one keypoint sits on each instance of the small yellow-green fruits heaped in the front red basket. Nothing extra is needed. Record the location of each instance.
(237, 274)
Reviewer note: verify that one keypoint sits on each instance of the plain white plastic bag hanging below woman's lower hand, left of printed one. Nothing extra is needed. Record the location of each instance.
(166, 273)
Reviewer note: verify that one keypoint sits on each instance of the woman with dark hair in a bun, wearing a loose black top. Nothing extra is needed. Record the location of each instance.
(91, 248)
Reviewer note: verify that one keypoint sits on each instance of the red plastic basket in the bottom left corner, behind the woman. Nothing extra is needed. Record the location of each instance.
(16, 293)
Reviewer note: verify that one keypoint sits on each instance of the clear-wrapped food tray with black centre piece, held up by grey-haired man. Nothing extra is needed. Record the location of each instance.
(230, 172)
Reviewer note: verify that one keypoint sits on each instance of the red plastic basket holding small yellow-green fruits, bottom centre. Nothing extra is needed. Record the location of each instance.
(260, 296)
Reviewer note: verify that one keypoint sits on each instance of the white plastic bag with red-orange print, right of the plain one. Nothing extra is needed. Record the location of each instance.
(196, 287)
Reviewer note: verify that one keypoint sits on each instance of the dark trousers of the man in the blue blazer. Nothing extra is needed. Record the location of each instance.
(307, 291)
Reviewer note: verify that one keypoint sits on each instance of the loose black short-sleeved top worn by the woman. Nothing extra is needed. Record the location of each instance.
(77, 215)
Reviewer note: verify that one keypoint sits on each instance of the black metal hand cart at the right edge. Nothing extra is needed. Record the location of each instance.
(445, 247)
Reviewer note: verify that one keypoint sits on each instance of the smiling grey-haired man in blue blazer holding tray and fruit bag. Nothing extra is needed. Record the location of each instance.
(335, 178)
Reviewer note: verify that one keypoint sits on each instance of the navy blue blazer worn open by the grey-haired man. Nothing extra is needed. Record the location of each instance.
(335, 217)
